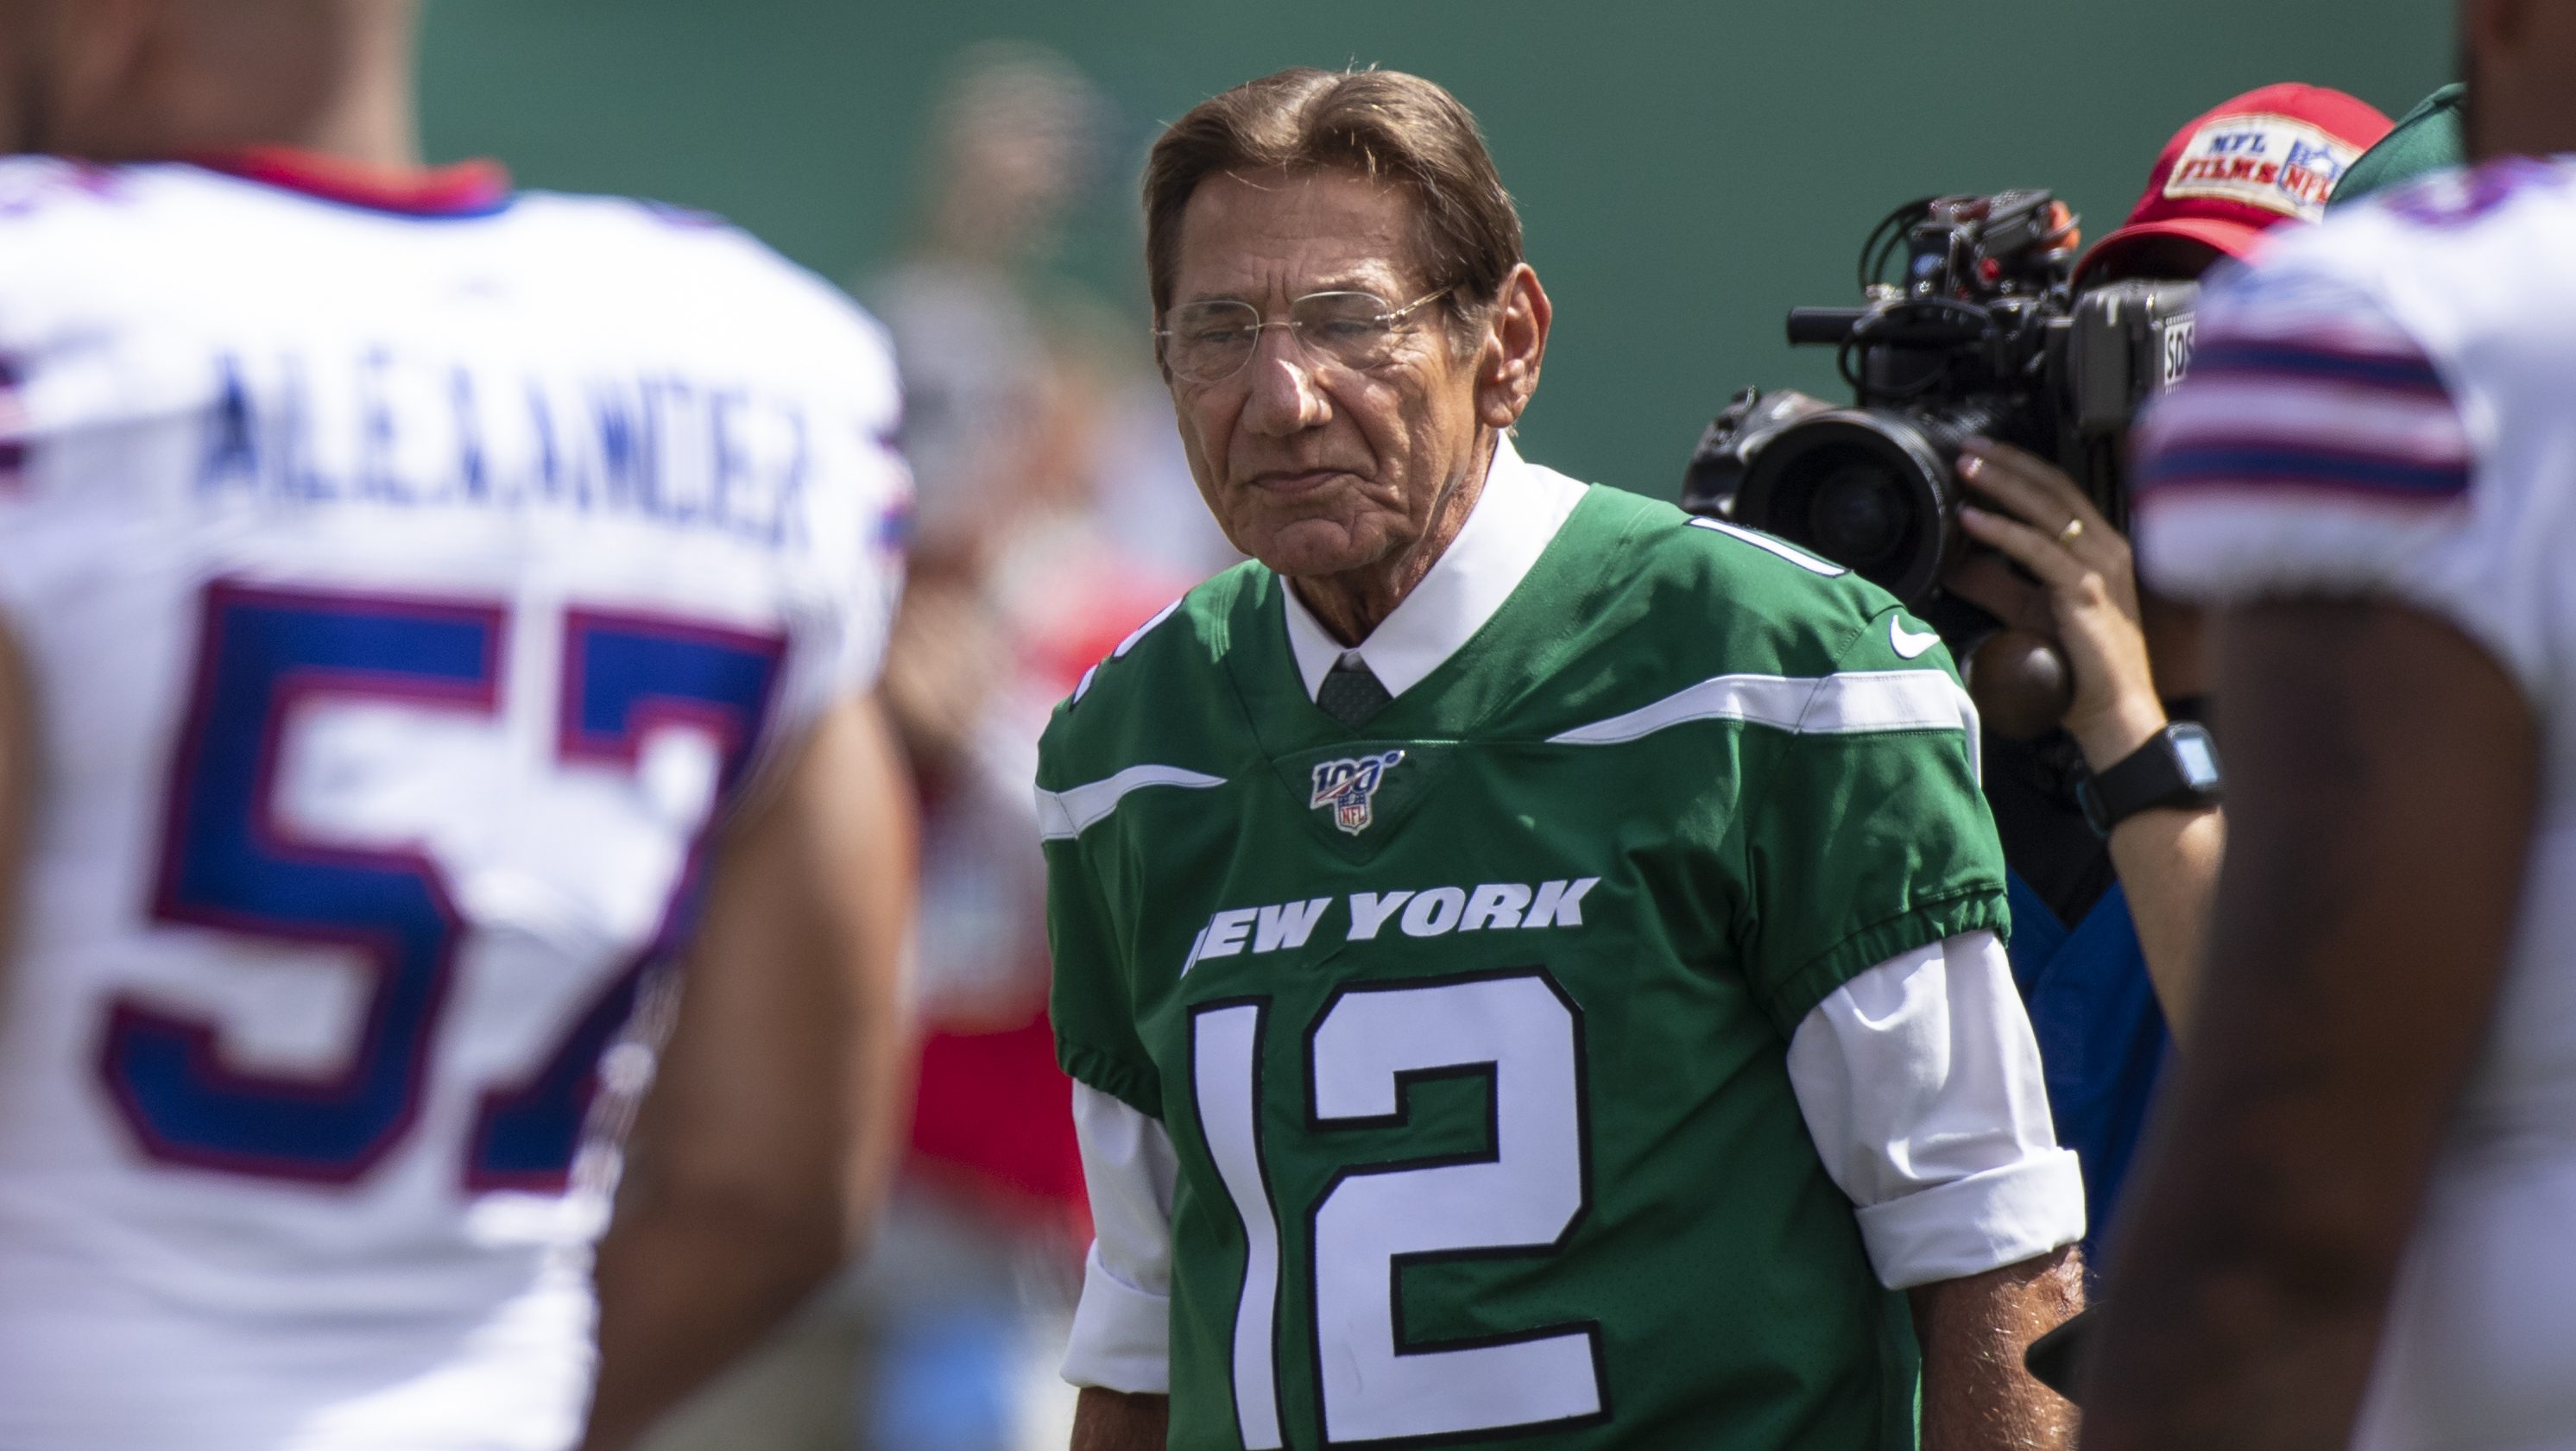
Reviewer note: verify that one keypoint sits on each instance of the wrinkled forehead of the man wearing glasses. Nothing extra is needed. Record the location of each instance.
(1274, 236)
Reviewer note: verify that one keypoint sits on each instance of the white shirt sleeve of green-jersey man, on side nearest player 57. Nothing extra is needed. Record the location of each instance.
(1124, 1321)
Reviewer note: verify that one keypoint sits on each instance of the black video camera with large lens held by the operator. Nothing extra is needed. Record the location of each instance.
(1982, 336)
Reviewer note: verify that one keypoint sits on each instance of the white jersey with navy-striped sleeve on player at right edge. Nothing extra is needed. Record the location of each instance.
(2387, 406)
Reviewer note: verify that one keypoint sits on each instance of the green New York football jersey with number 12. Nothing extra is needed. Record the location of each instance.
(1470, 1027)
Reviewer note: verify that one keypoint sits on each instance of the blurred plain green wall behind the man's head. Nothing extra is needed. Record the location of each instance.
(1686, 169)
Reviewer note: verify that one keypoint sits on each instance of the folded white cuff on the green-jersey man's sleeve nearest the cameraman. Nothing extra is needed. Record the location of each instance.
(1980, 1223)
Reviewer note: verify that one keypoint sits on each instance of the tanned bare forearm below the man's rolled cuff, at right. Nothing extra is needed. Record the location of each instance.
(1977, 1393)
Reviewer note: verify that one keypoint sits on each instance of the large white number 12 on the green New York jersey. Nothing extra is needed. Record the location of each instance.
(1524, 1197)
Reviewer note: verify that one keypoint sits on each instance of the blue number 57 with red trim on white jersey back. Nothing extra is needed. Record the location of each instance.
(231, 865)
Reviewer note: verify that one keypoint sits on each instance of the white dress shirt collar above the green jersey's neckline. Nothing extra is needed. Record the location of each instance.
(1503, 537)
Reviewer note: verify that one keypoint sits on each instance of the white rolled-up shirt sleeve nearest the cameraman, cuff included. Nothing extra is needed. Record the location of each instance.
(1920, 1084)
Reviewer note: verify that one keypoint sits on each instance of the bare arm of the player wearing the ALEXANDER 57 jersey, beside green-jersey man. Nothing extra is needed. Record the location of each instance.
(769, 1135)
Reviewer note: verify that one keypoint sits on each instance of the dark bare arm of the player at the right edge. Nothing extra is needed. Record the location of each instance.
(2382, 782)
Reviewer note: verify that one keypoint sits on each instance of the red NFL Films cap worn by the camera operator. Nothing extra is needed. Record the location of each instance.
(2266, 159)
